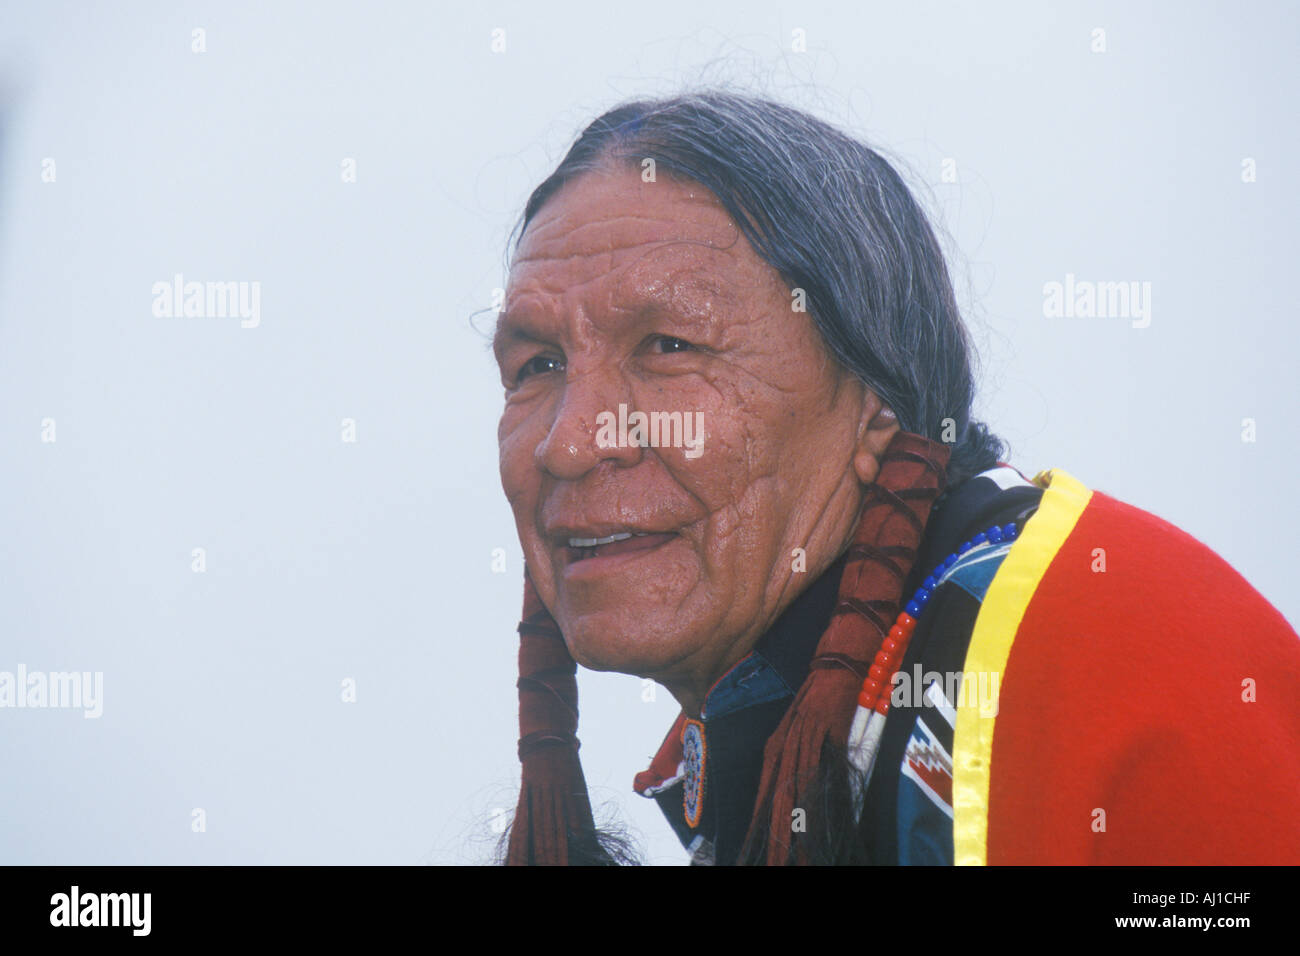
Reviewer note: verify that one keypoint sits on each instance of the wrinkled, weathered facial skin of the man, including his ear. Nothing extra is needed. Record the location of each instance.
(648, 295)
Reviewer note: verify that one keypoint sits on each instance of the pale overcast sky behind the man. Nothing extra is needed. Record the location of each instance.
(372, 561)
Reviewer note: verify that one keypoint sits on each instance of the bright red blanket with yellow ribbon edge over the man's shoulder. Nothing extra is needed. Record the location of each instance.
(1149, 704)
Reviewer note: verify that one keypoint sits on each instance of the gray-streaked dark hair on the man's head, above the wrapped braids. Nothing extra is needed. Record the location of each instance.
(835, 220)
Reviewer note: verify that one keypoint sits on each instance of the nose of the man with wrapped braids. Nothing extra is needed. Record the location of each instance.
(586, 430)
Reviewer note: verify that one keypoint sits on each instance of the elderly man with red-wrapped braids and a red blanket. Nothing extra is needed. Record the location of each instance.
(739, 448)
